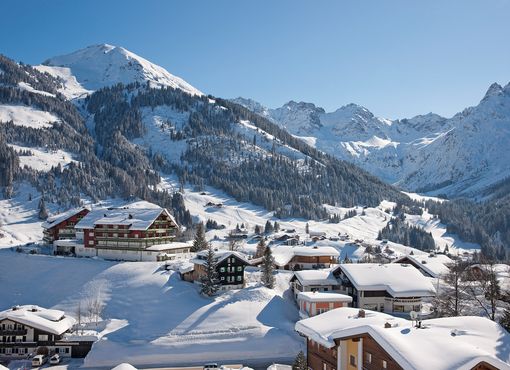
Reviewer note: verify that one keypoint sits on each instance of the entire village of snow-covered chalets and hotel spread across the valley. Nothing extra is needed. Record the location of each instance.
(381, 311)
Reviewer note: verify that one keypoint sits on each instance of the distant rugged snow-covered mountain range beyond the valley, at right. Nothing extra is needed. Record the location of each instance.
(456, 156)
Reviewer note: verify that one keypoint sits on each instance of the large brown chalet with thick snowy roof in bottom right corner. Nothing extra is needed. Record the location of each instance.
(348, 338)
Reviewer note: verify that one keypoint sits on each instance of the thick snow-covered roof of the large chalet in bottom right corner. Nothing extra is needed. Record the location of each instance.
(445, 343)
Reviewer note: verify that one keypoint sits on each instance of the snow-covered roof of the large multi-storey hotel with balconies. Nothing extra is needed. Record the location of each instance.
(135, 218)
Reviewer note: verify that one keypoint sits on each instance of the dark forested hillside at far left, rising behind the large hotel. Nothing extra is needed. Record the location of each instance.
(97, 174)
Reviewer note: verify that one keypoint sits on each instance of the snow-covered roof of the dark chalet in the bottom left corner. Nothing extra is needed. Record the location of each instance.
(51, 321)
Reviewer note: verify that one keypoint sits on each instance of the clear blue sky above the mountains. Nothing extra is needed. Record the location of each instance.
(397, 58)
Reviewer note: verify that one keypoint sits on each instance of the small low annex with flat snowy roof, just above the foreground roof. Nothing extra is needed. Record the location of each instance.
(316, 303)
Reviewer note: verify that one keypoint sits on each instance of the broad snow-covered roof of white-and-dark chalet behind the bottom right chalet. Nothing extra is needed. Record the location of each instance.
(399, 280)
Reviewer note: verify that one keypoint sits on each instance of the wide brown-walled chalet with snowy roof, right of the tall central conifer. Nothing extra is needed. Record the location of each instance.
(304, 258)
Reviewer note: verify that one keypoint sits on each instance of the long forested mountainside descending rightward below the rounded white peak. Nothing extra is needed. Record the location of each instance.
(263, 164)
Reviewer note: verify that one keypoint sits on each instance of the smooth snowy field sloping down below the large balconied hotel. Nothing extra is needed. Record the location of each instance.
(158, 319)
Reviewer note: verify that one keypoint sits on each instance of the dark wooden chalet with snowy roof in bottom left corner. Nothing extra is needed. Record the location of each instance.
(28, 330)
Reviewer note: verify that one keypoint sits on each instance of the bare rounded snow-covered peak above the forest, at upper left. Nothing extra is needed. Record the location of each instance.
(104, 65)
